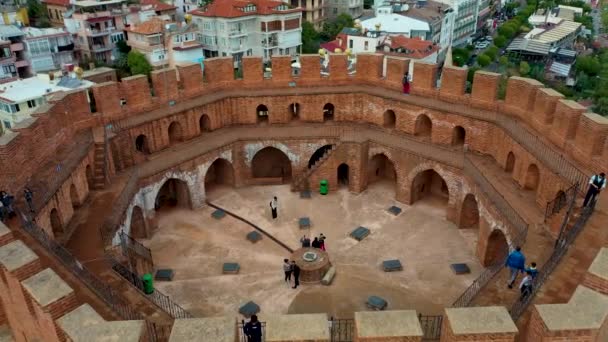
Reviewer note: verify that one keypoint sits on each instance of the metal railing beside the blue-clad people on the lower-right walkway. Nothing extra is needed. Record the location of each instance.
(561, 248)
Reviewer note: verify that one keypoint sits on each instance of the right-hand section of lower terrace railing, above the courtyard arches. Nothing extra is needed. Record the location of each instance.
(503, 206)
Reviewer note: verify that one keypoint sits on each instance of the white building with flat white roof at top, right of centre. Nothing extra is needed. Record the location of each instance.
(392, 23)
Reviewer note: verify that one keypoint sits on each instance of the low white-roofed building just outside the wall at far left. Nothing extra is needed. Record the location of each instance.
(19, 99)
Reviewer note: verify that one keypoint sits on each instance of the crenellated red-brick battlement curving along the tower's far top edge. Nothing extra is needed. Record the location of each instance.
(559, 121)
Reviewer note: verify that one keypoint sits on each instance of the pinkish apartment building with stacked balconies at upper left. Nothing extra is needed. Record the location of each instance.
(97, 27)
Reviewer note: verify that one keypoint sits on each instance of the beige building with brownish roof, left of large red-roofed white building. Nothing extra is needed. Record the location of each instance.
(165, 44)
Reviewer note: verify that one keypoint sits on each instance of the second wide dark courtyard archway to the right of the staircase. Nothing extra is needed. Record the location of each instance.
(429, 185)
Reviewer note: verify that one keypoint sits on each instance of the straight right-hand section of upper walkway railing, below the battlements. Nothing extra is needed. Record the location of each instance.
(551, 158)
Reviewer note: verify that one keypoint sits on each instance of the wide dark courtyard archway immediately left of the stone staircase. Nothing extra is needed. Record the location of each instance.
(270, 162)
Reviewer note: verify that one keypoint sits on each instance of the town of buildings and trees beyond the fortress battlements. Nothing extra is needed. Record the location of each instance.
(56, 45)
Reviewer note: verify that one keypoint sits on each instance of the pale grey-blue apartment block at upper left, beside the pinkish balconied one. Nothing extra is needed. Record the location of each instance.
(48, 48)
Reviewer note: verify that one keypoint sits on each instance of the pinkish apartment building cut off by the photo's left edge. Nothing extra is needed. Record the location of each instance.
(15, 65)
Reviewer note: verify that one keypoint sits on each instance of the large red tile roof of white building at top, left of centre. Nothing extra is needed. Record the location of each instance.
(235, 8)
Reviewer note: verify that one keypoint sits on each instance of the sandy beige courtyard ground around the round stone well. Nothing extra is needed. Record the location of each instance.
(195, 245)
